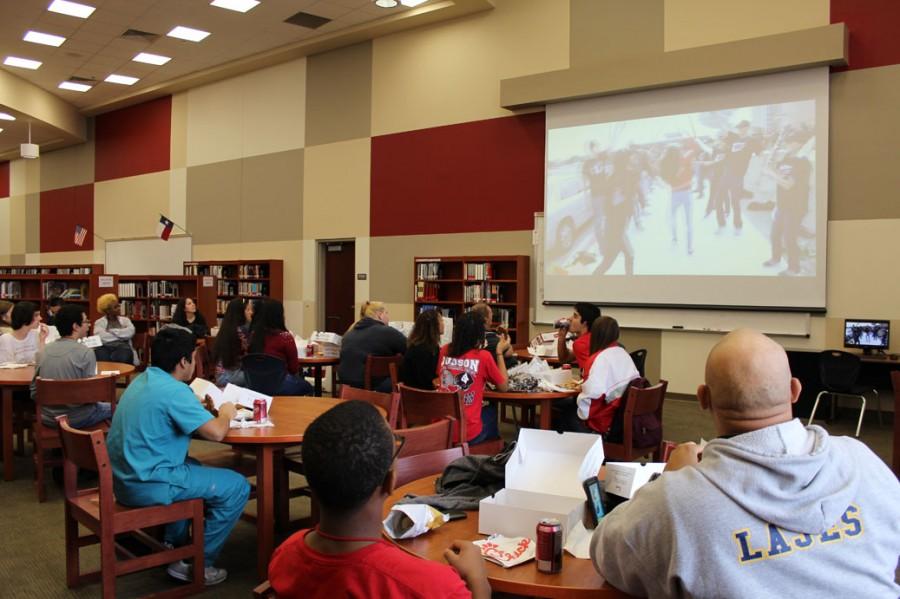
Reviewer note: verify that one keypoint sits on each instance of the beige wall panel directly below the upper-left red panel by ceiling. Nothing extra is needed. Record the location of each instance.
(130, 207)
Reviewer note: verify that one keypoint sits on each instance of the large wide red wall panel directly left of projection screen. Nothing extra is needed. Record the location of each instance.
(479, 176)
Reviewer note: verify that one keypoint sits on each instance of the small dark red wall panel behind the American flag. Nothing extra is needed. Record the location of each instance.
(61, 210)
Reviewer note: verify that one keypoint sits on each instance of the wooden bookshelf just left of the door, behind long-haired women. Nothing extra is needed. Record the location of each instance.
(241, 279)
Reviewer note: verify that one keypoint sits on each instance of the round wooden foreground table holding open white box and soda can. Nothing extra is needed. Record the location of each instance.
(577, 579)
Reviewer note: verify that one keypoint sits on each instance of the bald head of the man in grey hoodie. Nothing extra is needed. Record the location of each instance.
(748, 382)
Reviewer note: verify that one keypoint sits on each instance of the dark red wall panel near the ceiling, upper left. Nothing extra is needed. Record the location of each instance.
(133, 141)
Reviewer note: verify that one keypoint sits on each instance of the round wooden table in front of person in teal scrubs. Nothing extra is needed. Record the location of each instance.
(291, 416)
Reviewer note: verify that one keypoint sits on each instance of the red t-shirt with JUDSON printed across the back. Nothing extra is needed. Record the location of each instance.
(468, 373)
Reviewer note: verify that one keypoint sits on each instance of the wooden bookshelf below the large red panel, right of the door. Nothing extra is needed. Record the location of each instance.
(453, 284)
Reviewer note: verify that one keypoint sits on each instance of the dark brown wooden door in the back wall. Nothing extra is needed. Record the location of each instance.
(340, 283)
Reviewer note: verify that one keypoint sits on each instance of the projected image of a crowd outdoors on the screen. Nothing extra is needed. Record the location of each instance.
(728, 192)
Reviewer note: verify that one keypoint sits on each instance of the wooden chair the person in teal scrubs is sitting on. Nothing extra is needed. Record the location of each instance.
(96, 509)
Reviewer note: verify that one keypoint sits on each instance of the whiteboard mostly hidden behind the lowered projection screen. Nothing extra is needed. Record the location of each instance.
(792, 324)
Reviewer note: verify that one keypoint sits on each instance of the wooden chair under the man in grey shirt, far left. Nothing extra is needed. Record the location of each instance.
(56, 393)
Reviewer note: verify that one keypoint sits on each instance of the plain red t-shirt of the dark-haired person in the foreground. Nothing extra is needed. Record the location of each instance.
(377, 570)
